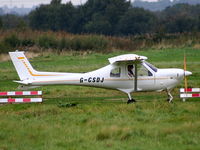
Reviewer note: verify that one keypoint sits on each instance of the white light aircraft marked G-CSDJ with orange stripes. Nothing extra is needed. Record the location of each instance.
(127, 73)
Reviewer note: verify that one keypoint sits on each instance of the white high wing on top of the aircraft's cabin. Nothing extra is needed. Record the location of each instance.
(126, 58)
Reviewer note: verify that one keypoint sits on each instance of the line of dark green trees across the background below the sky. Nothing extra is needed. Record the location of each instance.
(107, 17)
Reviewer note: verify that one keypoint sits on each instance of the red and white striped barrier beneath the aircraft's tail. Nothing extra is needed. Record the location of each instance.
(9, 99)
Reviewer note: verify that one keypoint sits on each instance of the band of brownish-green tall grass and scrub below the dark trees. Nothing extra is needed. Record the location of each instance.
(62, 41)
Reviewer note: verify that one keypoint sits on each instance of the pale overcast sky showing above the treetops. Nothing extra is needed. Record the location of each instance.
(30, 3)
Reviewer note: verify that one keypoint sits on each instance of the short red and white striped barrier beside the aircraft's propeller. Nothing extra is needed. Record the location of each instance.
(189, 93)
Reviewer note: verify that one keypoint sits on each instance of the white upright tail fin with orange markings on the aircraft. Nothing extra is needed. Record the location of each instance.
(22, 65)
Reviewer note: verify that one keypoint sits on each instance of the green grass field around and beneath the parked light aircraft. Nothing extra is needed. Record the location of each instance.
(102, 119)
